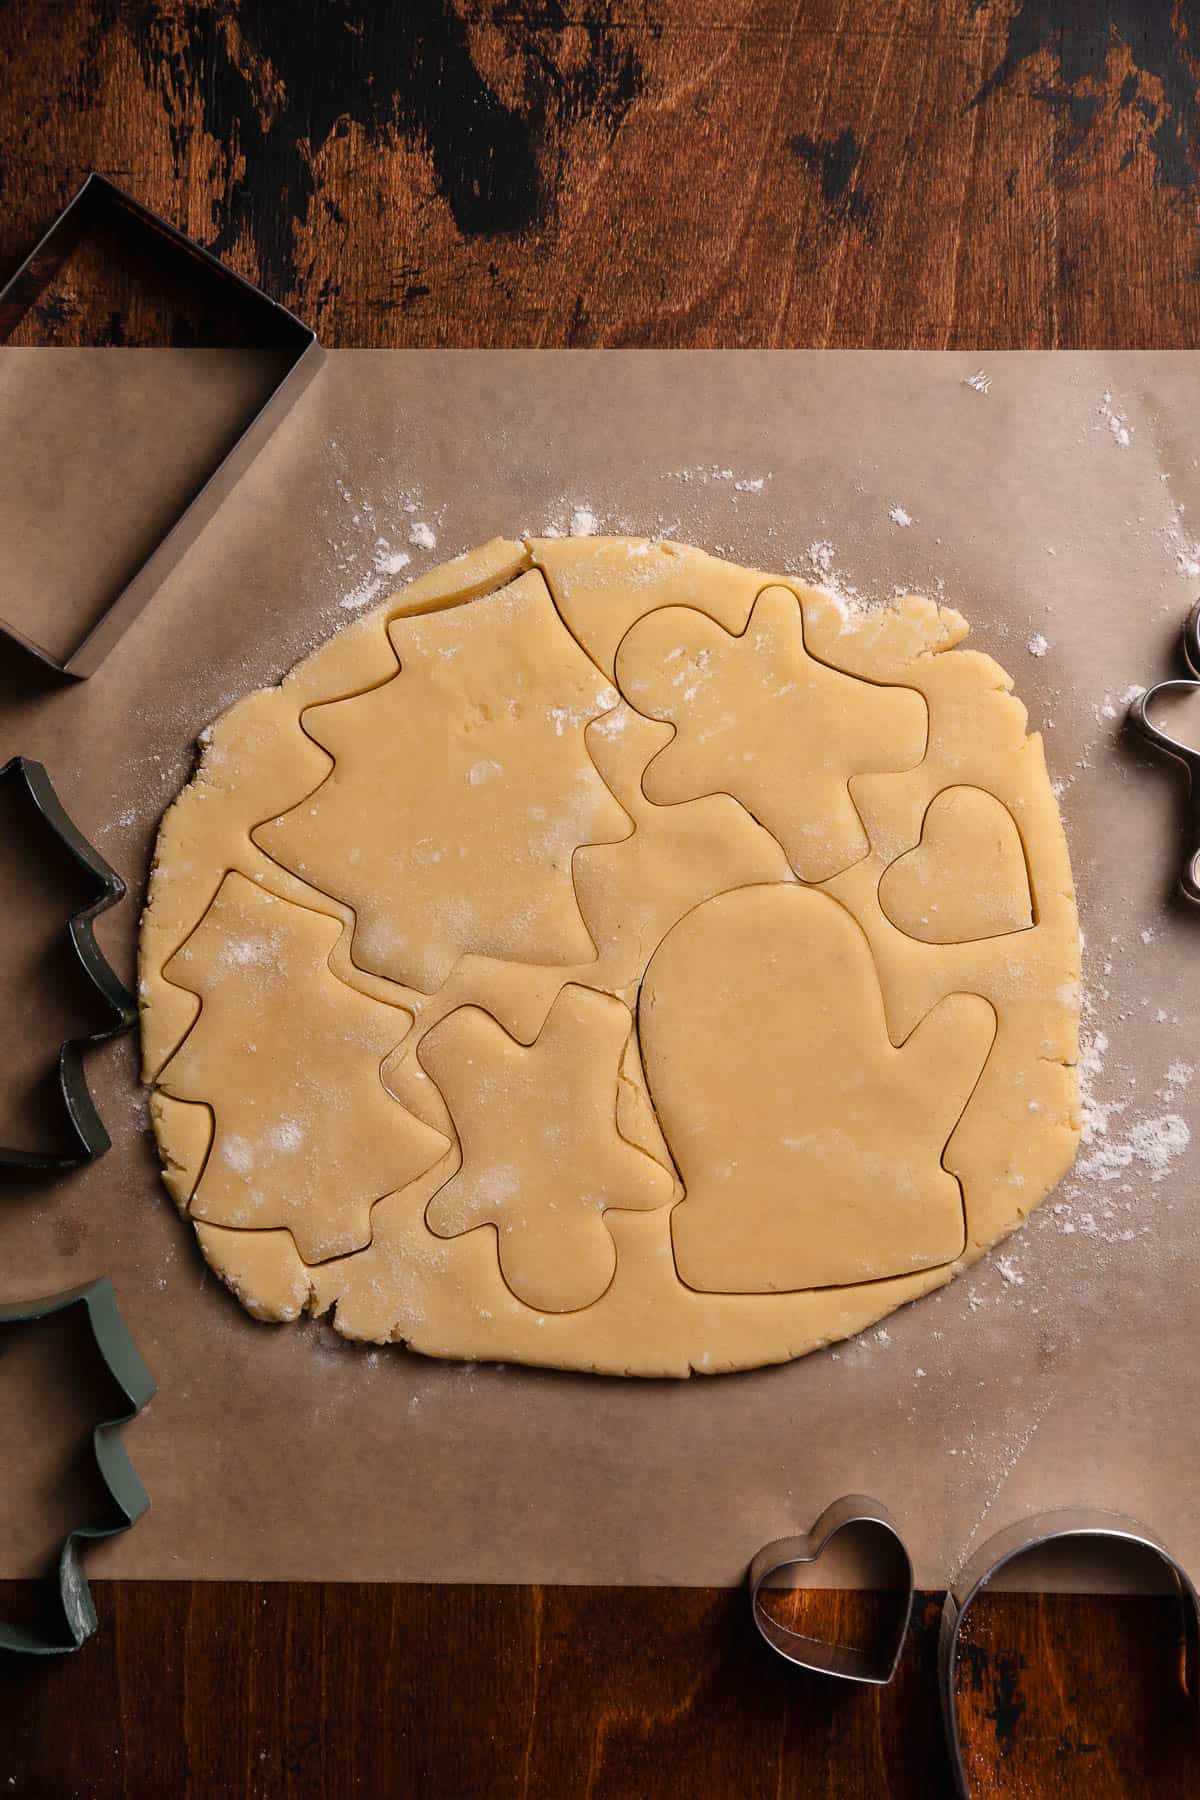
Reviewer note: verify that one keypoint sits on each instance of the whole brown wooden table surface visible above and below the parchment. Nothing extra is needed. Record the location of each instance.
(913, 174)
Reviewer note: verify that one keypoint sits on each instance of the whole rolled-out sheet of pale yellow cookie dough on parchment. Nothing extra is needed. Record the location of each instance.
(625, 879)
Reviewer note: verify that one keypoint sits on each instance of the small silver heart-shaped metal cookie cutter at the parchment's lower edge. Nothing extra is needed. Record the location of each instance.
(873, 1666)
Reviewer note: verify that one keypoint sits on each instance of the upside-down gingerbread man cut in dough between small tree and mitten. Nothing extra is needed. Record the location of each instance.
(542, 1156)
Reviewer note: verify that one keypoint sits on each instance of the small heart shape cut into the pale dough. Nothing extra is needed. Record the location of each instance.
(967, 879)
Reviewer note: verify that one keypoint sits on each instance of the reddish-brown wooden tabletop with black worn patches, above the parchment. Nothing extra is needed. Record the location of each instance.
(929, 174)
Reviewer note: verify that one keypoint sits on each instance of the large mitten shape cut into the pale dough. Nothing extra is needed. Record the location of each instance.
(810, 1146)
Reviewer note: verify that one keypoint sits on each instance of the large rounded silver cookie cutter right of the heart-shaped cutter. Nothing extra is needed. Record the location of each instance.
(1032, 1534)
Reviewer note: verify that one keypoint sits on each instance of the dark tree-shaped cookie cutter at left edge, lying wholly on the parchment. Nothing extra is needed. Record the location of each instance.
(87, 1128)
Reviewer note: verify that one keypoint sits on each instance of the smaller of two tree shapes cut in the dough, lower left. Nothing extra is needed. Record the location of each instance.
(289, 1061)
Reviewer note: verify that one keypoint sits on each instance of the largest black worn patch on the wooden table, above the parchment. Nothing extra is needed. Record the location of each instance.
(274, 96)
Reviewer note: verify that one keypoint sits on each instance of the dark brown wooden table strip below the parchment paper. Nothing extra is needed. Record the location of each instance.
(559, 1693)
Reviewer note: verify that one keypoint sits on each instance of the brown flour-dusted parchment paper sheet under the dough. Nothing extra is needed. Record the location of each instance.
(1053, 510)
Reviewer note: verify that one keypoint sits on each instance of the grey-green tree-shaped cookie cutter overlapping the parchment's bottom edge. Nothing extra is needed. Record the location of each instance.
(75, 1610)
